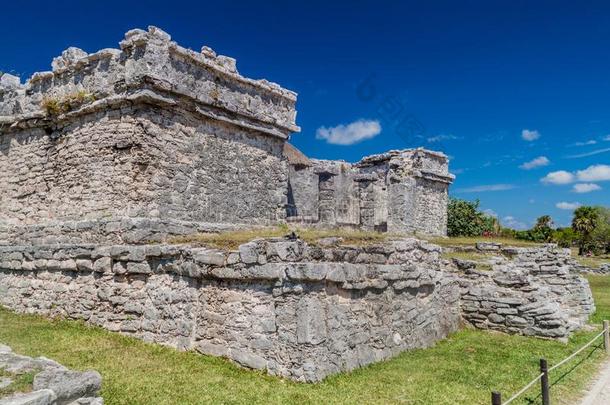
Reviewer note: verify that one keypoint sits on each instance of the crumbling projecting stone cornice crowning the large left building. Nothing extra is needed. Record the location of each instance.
(150, 68)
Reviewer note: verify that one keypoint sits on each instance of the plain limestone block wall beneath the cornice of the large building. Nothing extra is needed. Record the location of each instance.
(142, 162)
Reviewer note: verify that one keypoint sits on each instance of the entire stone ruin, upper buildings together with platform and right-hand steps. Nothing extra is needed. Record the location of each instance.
(111, 154)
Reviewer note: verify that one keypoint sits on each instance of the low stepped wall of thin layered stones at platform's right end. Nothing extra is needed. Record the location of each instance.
(528, 291)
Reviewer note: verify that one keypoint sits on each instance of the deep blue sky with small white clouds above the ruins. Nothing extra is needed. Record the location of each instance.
(495, 85)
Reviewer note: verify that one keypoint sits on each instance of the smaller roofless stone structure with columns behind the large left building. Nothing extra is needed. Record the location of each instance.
(400, 192)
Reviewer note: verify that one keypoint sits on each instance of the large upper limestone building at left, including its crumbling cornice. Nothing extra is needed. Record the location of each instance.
(159, 131)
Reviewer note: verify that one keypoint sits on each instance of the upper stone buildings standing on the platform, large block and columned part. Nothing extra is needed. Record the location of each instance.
(161, 132)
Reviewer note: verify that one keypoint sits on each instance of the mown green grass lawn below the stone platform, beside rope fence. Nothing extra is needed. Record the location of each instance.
(462, 369)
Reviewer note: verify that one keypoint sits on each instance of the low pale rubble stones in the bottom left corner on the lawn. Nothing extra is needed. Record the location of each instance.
(53, 383)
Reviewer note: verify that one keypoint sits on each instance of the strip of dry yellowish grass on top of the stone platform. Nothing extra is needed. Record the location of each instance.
(232, 239)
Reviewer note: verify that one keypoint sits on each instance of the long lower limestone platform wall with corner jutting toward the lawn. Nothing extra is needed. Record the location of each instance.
(296, 310)
